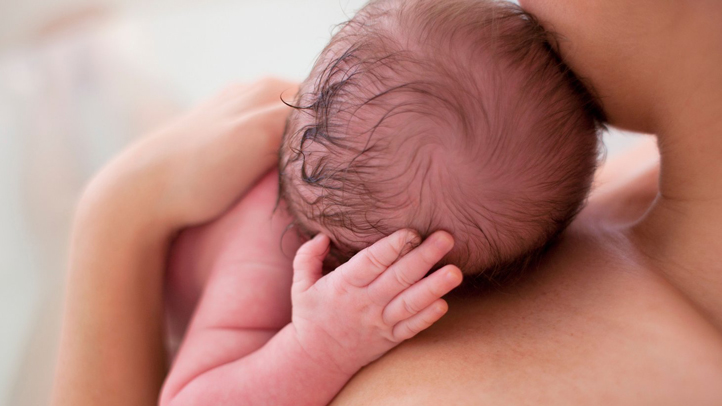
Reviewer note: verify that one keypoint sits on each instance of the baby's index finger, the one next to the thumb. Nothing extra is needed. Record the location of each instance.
(368, 264)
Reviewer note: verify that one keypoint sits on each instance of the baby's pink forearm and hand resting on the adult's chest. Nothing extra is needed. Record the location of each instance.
(340, 323)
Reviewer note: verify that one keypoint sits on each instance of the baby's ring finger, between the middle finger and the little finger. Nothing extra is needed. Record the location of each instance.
(422, 294)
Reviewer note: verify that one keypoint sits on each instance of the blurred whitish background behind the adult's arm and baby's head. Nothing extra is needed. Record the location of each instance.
(79, 79)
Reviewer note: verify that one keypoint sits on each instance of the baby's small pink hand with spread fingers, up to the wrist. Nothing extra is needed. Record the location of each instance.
(376, 300)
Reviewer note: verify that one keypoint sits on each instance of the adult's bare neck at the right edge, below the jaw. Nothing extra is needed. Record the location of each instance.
(682, 232)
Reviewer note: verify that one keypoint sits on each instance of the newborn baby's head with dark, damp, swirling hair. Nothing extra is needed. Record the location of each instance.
(451, 115)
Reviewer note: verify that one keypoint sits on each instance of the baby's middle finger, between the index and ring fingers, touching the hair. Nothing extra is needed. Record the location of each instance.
(412, 267)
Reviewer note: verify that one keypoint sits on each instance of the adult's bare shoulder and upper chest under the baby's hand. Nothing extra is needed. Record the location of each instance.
(588, 328)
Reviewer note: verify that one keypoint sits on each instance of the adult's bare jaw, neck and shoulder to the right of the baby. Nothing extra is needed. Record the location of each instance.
(624, 310)
